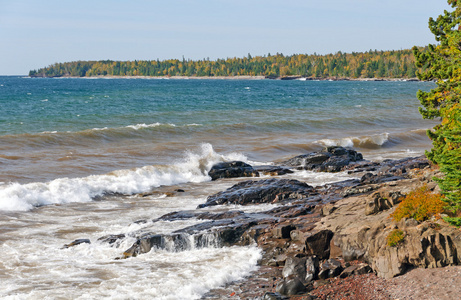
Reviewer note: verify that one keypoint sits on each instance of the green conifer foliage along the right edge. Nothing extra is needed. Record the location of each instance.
(442, 63)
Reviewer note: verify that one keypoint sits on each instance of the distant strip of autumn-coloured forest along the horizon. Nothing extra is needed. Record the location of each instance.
(371, 64)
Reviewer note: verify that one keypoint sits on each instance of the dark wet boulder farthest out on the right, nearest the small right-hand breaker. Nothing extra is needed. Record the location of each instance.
(332, 159)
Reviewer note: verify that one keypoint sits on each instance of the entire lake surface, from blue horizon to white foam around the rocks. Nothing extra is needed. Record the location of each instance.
(69, 149)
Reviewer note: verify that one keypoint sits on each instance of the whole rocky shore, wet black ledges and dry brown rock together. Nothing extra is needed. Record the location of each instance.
(319, 242)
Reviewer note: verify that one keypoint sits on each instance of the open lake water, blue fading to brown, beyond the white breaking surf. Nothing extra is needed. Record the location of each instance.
(52, 128)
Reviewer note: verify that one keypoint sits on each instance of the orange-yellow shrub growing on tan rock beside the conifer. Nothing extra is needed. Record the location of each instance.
(420, 205)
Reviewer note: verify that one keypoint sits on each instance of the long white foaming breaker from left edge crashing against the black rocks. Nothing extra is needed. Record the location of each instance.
(194, 168)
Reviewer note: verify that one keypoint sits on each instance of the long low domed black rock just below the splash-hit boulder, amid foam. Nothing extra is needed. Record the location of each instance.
(263, 191)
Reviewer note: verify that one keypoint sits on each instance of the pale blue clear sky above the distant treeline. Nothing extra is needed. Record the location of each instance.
(35, 34)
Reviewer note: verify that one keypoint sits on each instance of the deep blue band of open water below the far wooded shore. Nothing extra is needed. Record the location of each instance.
(38, 105)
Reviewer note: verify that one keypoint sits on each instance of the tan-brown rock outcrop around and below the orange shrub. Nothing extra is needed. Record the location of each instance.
(364, 236)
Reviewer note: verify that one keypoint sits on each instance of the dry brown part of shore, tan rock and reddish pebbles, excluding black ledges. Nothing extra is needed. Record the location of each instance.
(358, 240)
